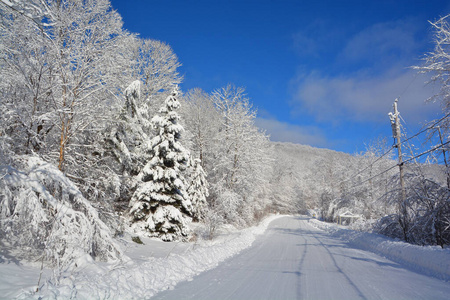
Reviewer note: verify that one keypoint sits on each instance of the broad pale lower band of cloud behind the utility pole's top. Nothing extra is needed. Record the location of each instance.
(363, 99)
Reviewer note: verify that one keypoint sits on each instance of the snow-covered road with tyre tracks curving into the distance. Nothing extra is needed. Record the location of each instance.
(293, 260)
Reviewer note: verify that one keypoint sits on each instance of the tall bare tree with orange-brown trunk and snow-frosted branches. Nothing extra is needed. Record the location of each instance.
(82, 46)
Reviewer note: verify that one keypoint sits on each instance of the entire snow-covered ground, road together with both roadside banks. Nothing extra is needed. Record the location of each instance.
(292, 260)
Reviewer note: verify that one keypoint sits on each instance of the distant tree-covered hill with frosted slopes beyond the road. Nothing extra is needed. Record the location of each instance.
(317, 169)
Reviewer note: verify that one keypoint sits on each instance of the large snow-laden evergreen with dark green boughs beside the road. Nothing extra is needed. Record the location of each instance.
(160, 205)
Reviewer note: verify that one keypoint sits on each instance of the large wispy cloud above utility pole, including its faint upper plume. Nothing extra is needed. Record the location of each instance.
(372, 68)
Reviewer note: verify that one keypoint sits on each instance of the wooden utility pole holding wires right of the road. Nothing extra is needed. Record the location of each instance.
(395, 124)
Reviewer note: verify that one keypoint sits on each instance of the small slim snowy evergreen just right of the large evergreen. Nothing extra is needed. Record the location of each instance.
(198, 190)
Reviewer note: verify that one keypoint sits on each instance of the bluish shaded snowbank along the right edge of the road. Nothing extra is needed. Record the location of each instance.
(431, 260)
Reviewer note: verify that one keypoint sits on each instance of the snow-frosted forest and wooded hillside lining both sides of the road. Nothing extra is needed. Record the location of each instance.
(98, 140)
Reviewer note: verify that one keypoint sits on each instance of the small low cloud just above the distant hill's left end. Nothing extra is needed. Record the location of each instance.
(285, 132)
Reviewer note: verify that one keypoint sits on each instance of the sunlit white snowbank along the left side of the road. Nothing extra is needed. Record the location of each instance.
(153, 267)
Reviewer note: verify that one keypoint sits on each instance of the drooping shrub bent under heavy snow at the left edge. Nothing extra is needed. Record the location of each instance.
(44, 213)
